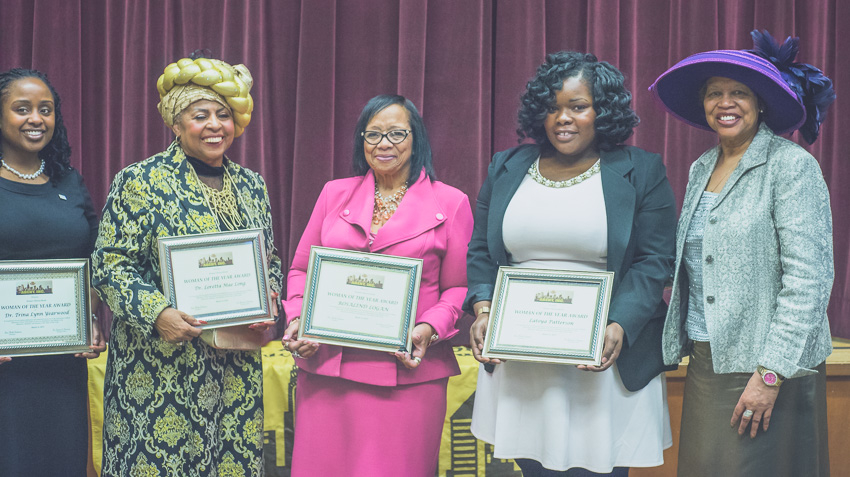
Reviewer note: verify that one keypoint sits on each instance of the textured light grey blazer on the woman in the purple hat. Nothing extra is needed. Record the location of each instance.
(767, 262)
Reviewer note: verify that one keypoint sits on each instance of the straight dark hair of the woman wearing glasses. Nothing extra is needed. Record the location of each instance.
(421, 154)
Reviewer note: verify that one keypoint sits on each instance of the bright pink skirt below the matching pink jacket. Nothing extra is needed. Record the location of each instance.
(346, 428)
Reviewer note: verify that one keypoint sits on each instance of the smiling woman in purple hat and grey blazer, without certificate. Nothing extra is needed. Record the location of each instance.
(754, 267)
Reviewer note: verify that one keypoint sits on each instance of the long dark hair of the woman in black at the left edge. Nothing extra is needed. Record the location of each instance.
(57, 152)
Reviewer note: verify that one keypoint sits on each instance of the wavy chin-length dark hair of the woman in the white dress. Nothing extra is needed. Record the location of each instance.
(615, 119)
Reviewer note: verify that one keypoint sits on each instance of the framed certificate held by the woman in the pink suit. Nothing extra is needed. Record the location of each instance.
(361, 300)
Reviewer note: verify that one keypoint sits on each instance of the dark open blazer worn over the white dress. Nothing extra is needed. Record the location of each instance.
(641, 246)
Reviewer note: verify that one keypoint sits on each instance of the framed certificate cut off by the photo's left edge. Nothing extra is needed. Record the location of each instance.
(44, 307)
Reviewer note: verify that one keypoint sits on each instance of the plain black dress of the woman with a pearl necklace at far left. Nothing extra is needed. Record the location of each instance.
(43, 398)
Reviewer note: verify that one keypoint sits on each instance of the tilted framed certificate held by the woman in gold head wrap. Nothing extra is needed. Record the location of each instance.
(221, 278)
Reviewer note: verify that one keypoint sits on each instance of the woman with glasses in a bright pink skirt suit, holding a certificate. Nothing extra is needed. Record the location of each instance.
(371, 413)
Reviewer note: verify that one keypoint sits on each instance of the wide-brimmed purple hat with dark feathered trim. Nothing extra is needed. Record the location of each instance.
(795, 95)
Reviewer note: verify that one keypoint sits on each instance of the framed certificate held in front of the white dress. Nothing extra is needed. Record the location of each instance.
(553, 316)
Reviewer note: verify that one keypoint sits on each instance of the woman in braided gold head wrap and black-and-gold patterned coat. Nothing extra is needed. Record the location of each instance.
(173, 404)
